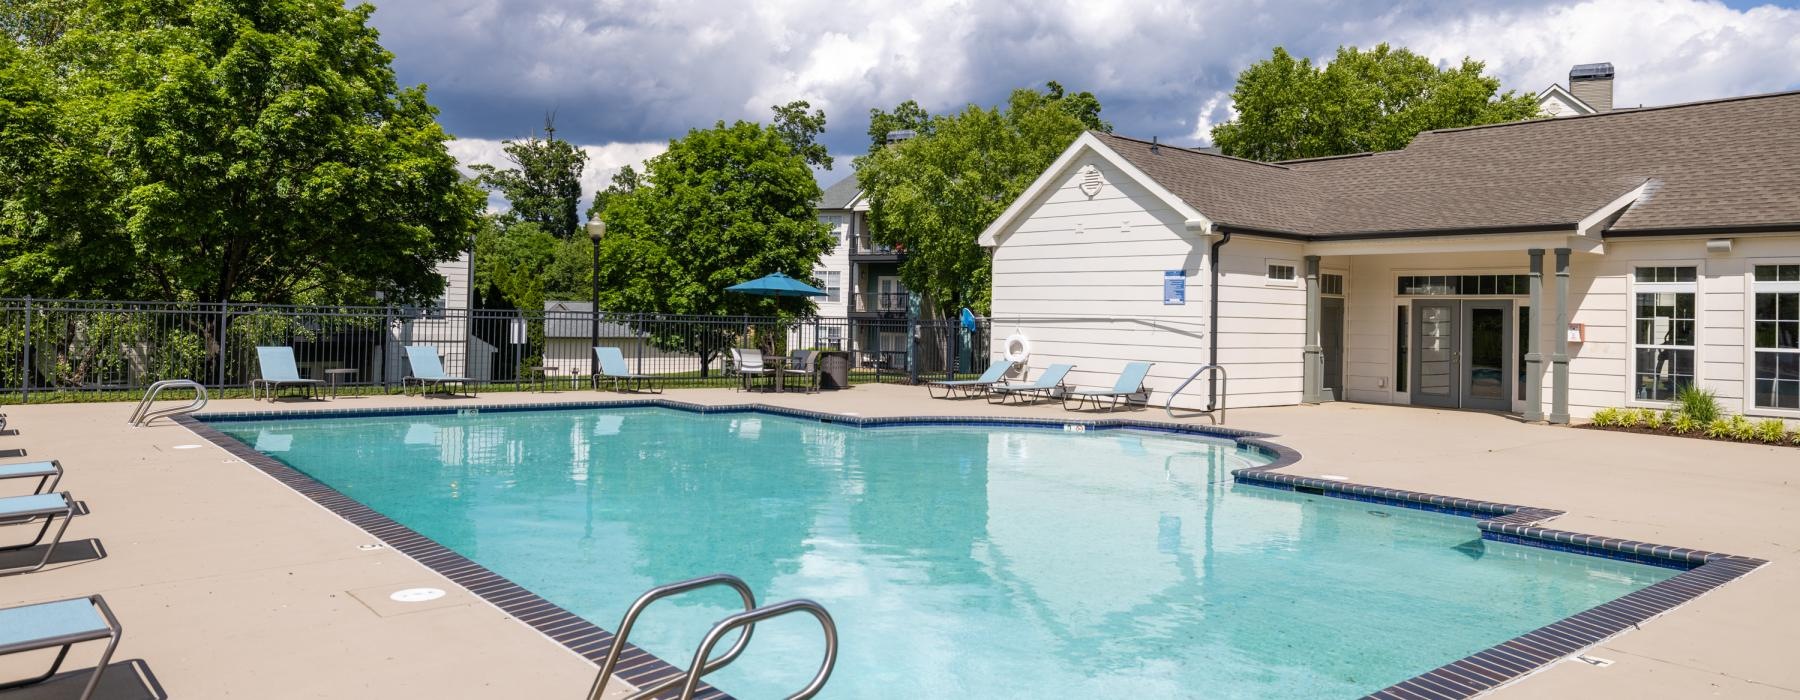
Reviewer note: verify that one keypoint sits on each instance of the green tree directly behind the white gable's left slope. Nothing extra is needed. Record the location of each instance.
(935, 193)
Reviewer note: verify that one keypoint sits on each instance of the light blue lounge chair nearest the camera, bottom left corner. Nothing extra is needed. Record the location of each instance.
(60, 624)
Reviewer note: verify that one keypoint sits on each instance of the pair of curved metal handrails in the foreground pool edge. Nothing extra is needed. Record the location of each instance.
(701, 667)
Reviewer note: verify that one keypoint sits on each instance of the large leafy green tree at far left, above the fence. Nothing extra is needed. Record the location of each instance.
(219, 150)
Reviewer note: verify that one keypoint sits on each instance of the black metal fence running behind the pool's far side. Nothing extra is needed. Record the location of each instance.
(94, 350)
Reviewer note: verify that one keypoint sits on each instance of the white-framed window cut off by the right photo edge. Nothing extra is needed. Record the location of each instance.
(1777, 318)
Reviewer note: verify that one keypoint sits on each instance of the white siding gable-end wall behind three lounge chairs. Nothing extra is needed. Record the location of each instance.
(1083, 278)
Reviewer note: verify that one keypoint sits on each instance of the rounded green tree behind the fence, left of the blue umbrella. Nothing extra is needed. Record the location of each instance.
(719, 208)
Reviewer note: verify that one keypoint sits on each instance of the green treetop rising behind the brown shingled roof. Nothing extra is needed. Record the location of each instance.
(1362, 102)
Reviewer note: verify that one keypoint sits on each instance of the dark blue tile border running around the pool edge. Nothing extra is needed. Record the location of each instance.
(1462, 679)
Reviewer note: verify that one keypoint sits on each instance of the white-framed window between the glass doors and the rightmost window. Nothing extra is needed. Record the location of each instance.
(1664, 332)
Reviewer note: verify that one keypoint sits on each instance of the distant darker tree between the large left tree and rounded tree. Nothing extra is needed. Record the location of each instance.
(544, 184)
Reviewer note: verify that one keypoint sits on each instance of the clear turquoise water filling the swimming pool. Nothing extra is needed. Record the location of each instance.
(958, 561)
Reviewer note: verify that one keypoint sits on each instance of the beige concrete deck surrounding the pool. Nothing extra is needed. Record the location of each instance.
(233, 586)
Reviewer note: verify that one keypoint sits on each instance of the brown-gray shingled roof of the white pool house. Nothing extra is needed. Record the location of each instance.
(1727, 165)
